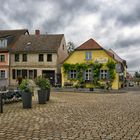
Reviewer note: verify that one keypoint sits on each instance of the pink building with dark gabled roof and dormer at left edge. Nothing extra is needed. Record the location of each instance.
(7, 41)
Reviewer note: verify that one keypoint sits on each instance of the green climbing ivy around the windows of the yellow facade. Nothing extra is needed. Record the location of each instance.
(95, 67)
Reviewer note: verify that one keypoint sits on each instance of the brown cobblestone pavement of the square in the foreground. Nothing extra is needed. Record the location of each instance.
(74, 116)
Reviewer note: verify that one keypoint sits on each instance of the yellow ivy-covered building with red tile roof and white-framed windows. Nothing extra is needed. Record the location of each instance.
(91, 65)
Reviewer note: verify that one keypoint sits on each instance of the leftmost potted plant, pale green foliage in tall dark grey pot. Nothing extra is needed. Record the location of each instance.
(26, 94)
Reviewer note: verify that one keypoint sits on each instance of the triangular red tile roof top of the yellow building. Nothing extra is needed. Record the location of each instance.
(89, 45)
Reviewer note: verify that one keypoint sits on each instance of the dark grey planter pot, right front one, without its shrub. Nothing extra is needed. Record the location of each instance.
(42, 95)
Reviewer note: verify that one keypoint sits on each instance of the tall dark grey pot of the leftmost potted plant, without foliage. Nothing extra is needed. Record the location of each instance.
(27, 99)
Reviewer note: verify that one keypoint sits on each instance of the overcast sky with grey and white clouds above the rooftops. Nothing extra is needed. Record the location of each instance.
(112, 23)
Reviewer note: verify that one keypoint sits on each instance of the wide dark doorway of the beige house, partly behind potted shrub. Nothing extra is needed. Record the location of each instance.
(50, 74)
